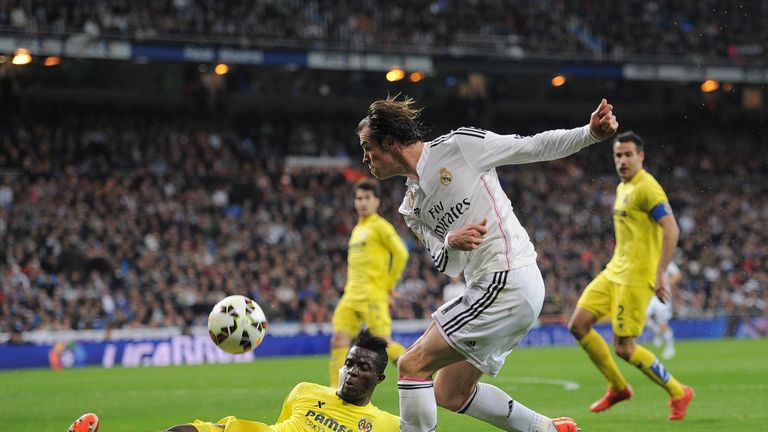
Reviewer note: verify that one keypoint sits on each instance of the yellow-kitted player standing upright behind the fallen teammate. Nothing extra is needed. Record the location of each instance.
(375, 261)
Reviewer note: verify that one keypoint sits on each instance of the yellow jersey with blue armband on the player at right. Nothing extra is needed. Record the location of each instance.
(638, 236)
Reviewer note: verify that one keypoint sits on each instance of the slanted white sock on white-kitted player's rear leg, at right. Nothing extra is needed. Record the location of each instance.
(490, 404)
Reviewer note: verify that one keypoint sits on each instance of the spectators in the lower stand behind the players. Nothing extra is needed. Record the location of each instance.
(121, 221)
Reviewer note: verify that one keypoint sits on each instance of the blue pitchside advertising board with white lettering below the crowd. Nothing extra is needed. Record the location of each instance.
(297, 340)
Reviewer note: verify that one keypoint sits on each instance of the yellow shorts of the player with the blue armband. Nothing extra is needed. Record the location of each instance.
(624, 304)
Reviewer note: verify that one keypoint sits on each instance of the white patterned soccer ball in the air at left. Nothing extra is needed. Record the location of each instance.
(237, 324)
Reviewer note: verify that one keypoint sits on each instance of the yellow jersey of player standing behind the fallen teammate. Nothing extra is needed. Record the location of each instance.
(376, 259)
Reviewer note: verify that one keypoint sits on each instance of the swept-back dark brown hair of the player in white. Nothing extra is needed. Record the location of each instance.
(394, 118)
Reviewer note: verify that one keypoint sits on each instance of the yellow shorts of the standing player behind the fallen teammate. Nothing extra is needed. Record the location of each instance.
(349, 317)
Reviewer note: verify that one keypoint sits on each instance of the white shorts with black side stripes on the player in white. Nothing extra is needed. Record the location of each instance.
(492, 316)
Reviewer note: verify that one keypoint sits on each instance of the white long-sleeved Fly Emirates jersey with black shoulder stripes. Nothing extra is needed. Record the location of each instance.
(458, 184)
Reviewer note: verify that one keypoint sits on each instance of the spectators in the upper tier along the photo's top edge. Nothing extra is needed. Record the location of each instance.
(593, 27)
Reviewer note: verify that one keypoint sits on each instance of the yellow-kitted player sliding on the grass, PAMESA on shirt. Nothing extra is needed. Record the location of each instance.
(313, 407)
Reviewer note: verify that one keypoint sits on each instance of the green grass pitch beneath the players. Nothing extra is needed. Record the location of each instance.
(730, 378)
